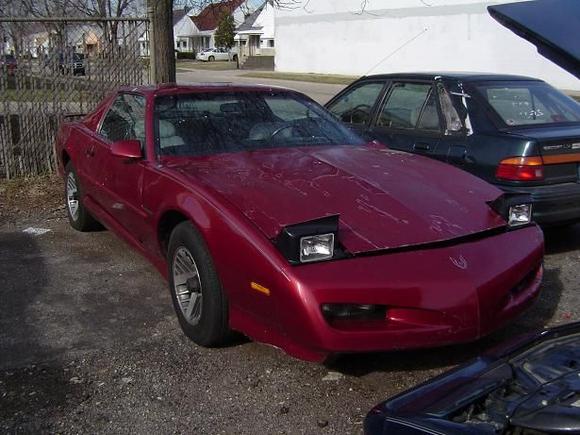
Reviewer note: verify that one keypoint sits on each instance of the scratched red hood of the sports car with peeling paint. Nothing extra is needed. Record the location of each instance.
(385, 198)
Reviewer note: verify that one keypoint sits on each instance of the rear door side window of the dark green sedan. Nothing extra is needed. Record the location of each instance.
(410, 106)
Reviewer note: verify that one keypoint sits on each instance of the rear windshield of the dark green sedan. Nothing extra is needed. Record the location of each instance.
(520, 103)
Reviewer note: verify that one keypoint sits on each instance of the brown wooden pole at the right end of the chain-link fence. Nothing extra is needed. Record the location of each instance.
(161, 50)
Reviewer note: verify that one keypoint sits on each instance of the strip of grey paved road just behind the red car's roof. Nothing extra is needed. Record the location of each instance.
(317, 91)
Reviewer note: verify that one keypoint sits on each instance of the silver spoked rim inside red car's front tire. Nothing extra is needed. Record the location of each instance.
(187, 285)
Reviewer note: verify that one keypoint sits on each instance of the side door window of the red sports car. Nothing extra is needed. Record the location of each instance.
(125, 119)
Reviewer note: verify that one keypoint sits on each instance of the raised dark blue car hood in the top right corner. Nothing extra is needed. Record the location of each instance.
(551, 25)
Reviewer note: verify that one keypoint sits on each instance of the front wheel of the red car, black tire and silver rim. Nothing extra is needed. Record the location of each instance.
(198, 298)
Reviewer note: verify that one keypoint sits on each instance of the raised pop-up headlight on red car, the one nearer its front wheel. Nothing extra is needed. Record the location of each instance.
(309, 241)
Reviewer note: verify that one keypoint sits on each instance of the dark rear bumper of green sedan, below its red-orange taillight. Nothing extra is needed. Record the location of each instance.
(552, 204)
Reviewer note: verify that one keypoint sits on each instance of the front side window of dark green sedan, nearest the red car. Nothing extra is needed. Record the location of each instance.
(355, 106)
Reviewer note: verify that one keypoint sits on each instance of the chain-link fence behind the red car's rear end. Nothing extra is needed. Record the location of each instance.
(52, 68)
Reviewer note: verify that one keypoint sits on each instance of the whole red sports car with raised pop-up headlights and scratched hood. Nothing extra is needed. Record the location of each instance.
(269, 217)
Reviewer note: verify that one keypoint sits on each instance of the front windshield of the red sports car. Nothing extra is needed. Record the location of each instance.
(217, 122)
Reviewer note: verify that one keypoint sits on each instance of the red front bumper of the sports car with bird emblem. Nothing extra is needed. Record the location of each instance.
(433, 297)
